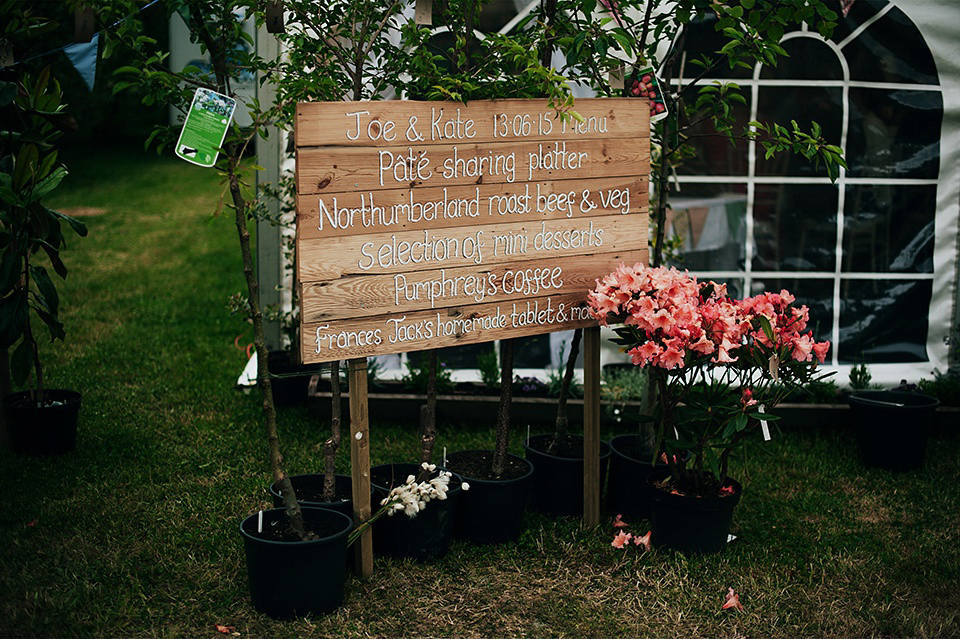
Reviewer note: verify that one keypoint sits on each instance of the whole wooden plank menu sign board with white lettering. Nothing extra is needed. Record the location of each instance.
(432, 224)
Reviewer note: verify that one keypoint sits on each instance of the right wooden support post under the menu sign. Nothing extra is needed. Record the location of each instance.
(591, 426)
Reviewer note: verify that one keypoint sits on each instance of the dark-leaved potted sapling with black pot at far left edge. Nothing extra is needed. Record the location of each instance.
(39, 420)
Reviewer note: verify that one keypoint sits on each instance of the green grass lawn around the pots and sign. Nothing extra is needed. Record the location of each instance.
(136, 533)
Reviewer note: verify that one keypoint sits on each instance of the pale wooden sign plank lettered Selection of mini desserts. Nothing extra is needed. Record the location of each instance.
(408, 251)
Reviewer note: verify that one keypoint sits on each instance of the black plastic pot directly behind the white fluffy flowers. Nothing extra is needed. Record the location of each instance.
(424, 537)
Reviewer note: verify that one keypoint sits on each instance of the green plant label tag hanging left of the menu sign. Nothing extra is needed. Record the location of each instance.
(205, 127)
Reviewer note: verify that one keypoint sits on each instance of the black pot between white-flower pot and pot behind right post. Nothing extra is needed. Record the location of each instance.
(492, 511)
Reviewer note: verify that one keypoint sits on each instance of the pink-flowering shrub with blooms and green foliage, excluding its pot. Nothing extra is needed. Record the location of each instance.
(718, 364)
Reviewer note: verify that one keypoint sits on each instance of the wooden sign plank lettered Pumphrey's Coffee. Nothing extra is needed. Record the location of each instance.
(361, 296)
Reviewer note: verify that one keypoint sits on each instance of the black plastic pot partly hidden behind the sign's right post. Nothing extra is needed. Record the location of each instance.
(558, 481)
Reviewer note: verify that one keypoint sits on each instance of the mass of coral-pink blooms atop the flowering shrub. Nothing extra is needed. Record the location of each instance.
(678, 320)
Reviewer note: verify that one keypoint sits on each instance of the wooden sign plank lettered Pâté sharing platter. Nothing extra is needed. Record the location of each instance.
(347, 169)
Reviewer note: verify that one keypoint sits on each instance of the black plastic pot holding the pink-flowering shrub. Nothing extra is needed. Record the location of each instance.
(689, 524)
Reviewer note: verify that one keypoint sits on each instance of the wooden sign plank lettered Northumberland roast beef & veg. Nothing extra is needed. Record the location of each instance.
(341, 214)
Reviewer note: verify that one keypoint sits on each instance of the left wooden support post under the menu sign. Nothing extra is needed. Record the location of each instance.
(360, 462)
